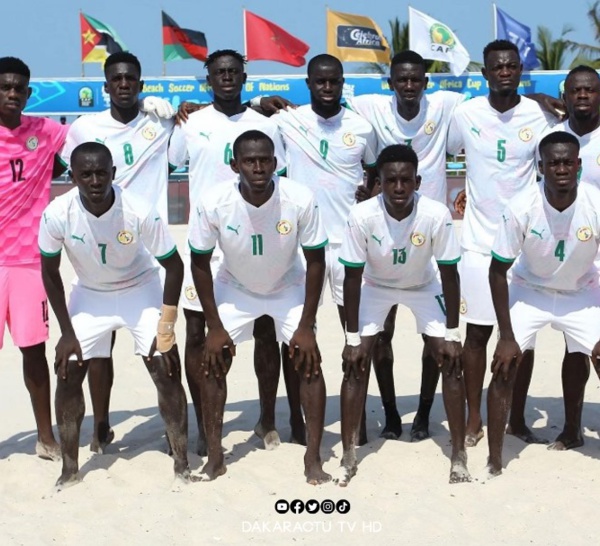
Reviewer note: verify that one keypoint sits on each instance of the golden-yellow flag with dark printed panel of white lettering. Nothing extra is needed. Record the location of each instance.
(355, 38)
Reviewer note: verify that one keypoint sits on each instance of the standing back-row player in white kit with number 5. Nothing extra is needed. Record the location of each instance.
(499, 134)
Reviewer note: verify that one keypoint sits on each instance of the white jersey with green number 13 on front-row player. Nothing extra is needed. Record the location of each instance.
(399, 254)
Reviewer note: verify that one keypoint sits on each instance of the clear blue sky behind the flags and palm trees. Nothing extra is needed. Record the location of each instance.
(46, 33)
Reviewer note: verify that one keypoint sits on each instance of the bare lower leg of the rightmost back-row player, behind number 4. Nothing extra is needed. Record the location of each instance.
(575, 373)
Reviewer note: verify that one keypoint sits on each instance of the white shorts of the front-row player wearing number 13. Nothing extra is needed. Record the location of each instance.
(426, 304)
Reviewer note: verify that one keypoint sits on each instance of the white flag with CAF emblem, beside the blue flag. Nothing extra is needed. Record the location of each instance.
(434, 40)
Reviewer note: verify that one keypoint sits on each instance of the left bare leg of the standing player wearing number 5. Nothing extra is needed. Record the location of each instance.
(474, 359)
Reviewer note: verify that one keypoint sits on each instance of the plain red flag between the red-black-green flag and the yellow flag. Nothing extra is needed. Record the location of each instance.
(267, 41)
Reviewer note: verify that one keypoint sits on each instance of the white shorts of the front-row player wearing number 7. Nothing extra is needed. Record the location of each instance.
(95, 315)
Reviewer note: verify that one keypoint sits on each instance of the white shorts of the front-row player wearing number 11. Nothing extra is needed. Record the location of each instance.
(239, 309)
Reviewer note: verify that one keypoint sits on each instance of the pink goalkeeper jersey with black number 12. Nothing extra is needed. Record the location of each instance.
(26, 161)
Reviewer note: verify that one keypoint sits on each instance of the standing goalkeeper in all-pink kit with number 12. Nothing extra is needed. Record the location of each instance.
(28, 146)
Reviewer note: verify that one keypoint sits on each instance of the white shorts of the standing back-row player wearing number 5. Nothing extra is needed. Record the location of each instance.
(476, 306)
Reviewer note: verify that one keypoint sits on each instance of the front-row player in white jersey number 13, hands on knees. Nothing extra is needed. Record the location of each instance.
(392, 238)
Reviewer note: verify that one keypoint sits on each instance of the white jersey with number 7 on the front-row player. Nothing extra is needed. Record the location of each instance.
(112, 252)
